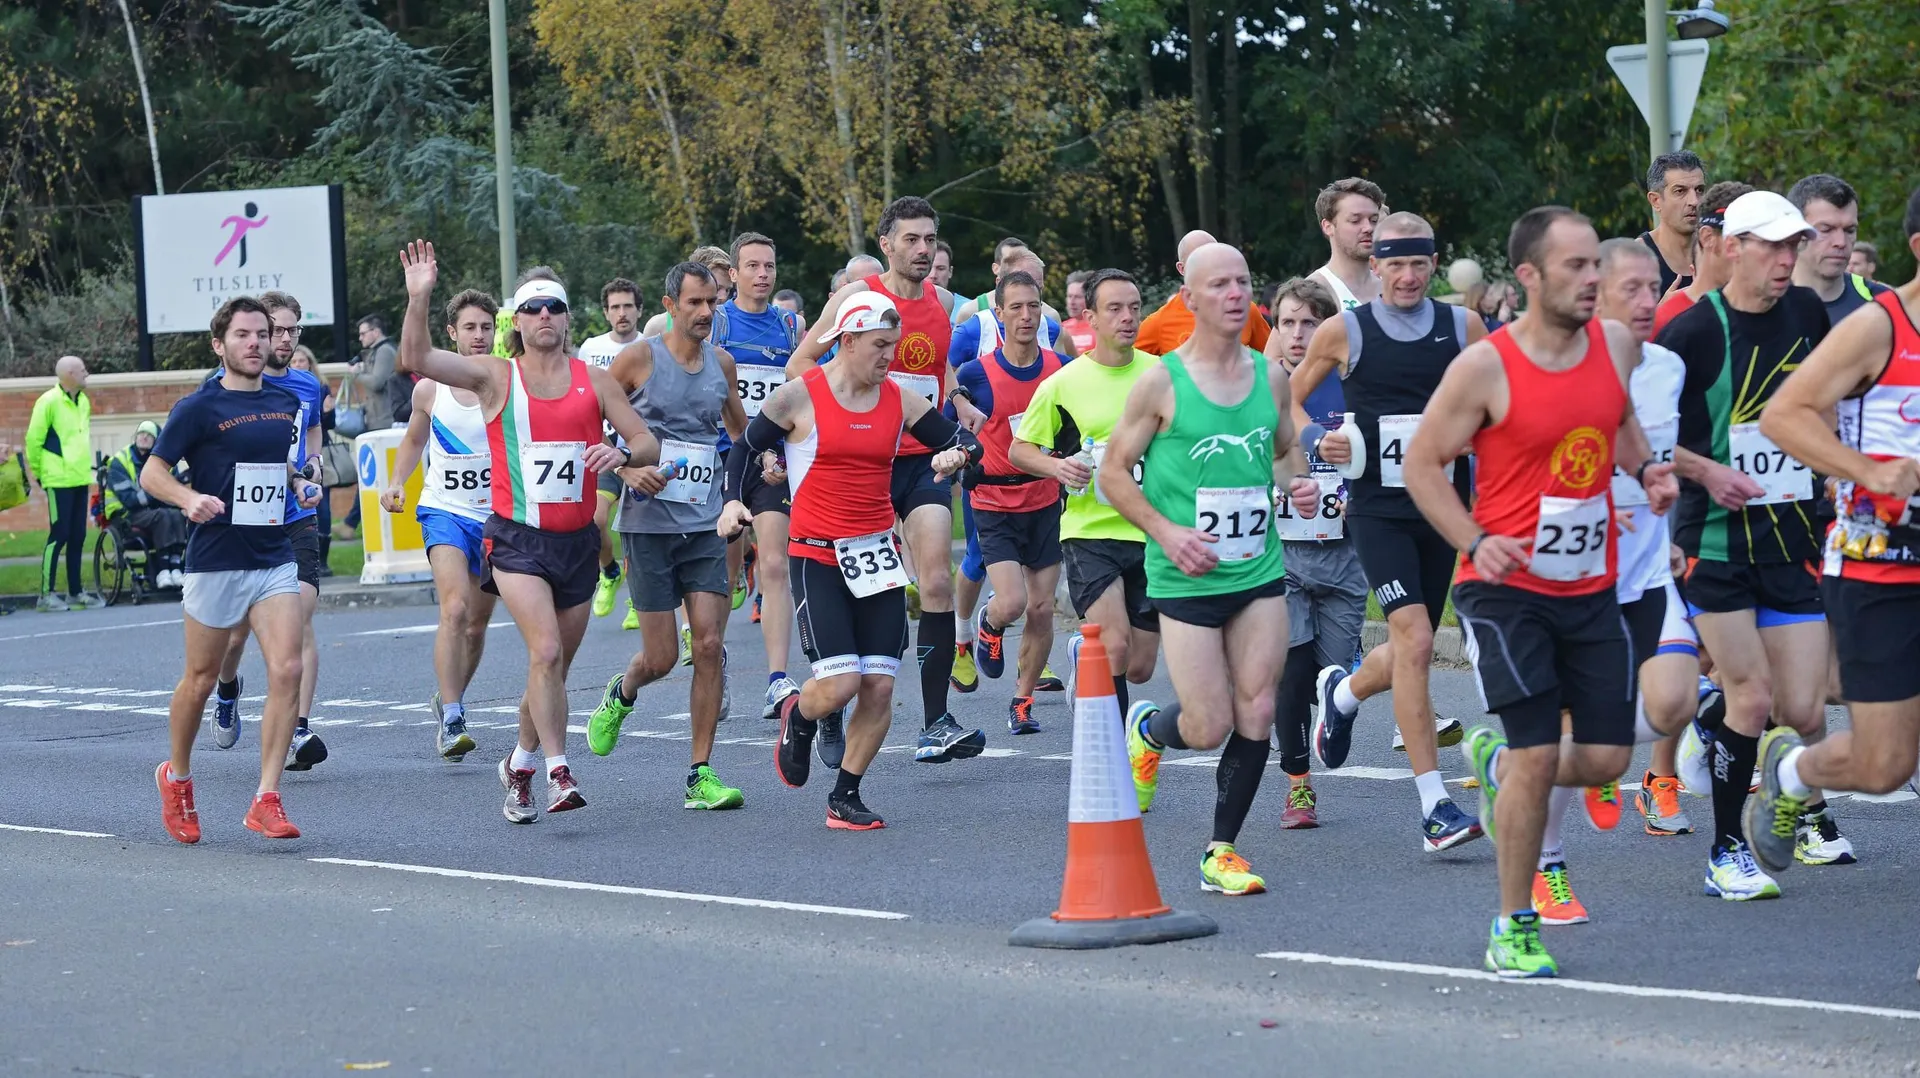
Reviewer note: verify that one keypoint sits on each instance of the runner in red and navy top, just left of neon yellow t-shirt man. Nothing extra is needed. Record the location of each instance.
(1019, 516)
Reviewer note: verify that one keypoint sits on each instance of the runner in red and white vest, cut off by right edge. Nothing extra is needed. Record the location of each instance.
(1867, 368)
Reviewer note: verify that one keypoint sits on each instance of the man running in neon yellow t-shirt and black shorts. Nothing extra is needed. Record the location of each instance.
(1103, 552)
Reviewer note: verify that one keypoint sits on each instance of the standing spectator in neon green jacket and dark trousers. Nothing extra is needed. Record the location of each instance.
(62, 460)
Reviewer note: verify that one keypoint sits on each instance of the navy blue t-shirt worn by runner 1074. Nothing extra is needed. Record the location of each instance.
(216, 429)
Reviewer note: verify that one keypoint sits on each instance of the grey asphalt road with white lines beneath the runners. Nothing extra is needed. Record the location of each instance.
(594, 943)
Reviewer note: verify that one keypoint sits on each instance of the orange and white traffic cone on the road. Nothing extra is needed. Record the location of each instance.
(1109, 896)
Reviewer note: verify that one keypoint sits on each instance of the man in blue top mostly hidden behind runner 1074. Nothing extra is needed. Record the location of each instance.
(302, 529)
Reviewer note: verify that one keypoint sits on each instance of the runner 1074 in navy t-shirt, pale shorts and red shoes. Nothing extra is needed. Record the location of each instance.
(241, 564)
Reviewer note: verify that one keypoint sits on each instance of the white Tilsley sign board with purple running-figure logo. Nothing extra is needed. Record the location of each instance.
(199, 251)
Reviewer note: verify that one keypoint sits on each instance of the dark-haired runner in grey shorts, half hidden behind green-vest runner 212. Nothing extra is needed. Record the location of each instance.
(1326, 585)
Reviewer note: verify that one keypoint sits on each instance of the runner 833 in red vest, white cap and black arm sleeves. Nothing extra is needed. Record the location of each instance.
(844, 428)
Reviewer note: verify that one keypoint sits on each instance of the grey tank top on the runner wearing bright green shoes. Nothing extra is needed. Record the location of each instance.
(681, 406)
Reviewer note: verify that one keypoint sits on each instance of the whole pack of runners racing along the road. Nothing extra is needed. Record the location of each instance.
(1629, 487)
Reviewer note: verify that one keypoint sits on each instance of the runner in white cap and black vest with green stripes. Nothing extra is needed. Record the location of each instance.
(1746, 524)
